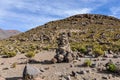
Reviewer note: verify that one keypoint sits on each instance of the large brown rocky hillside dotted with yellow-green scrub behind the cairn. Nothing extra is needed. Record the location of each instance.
(97, 31)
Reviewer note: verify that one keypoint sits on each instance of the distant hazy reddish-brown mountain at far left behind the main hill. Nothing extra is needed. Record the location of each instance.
(7, 33)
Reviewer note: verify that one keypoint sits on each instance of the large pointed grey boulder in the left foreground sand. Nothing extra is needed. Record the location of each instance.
(30, 72)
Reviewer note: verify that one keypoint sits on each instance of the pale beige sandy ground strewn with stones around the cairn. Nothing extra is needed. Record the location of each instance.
(53, 71)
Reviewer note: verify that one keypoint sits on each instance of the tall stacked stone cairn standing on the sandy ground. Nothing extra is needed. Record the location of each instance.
(63, 52)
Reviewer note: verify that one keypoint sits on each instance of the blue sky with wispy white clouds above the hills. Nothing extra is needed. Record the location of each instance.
(24, 15)
